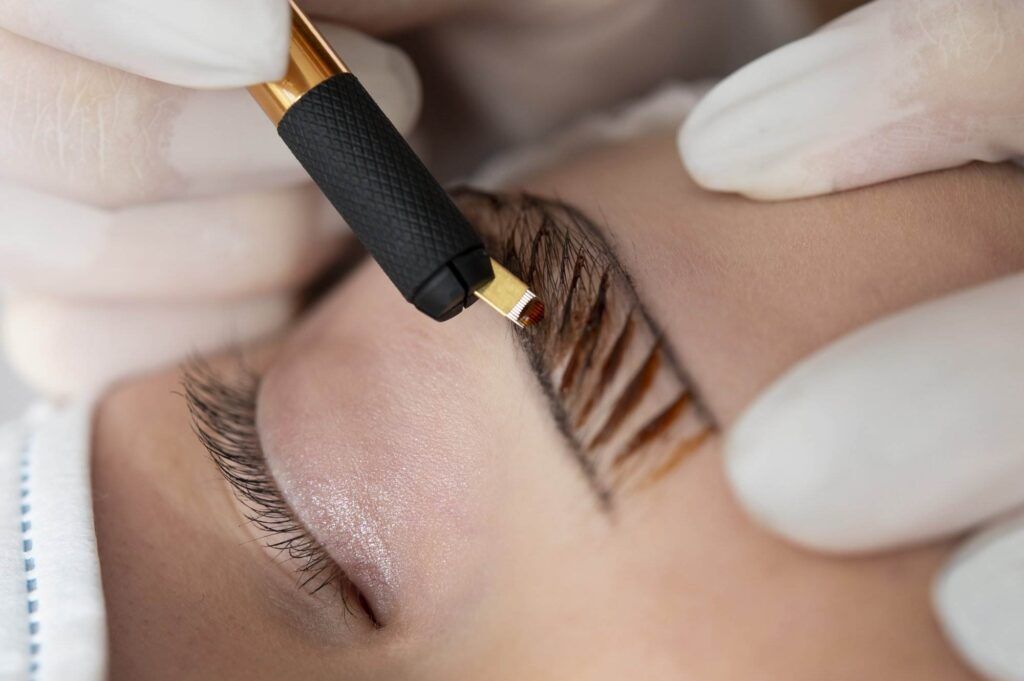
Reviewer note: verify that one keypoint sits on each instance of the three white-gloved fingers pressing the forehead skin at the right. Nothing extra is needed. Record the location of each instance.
(912, 429)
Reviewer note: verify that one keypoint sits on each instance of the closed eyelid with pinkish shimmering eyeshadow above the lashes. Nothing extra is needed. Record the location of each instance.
(366, 481)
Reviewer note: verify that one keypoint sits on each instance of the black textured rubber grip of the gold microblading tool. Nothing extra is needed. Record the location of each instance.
(390, 199)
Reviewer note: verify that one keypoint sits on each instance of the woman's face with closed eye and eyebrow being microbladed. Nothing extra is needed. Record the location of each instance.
(482, 502)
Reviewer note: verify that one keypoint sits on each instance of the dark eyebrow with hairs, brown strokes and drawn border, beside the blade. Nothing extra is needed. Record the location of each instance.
(568, 274)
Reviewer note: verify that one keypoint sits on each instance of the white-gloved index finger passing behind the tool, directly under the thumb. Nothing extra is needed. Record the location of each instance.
(105, 138)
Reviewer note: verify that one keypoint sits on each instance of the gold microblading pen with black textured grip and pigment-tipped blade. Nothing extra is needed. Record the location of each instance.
(373, 178)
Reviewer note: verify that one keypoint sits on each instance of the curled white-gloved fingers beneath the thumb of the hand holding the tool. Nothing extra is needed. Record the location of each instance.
(141, 222)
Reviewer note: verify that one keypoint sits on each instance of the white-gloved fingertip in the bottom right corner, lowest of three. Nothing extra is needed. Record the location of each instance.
(979, 600)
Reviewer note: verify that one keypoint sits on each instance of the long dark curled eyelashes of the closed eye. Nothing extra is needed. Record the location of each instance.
(223, 408)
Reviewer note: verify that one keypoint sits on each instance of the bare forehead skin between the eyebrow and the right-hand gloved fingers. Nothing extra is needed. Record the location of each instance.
(746, 289)
